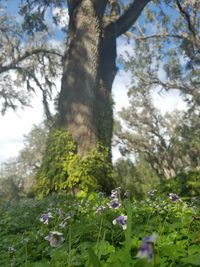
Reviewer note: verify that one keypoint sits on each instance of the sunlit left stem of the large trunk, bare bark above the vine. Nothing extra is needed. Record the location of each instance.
(80, 74)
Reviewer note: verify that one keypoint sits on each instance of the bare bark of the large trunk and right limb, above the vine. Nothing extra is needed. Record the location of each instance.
(85, 105)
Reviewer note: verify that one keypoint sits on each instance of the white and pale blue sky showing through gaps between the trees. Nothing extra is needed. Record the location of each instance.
(14, 125)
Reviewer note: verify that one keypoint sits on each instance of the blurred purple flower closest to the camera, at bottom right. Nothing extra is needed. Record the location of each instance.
(146, 249)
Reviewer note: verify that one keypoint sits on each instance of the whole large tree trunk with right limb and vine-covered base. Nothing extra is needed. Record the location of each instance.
(84, 102)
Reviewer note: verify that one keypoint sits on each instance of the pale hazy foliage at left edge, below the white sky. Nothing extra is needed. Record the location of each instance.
(17, 174)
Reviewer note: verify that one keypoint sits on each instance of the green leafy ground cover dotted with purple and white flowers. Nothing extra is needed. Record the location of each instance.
(62, 230)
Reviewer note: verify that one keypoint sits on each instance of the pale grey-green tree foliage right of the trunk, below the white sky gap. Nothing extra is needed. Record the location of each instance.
(169, 142)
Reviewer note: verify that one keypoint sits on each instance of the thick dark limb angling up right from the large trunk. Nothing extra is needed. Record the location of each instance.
(128, 18)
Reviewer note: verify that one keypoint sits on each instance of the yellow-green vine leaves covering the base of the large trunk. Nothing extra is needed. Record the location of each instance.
(63, 168)
